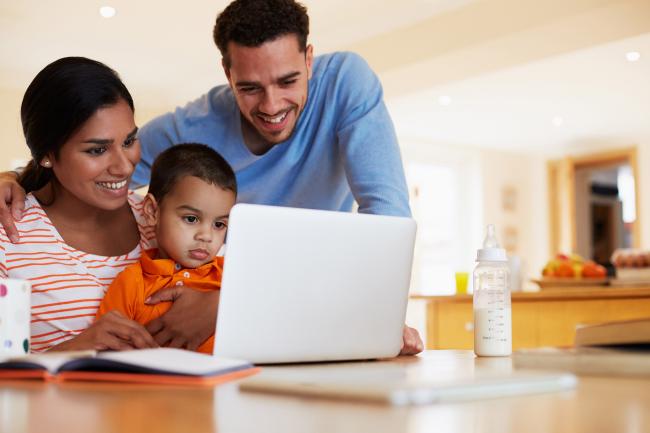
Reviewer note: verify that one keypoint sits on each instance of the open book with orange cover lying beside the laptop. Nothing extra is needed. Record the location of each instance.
(161, 366)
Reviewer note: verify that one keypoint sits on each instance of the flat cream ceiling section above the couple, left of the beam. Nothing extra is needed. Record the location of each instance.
(163, 49)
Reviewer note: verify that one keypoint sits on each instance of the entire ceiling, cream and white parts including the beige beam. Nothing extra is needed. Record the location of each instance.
(509, 67)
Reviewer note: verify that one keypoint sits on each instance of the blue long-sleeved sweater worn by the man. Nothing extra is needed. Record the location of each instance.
(343, 147)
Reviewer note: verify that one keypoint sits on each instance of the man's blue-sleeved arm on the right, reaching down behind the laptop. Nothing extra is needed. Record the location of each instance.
(367, 138)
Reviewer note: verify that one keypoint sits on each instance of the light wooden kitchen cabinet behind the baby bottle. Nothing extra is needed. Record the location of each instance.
(545, 318)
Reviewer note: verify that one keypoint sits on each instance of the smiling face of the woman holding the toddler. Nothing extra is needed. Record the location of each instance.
(96, 163)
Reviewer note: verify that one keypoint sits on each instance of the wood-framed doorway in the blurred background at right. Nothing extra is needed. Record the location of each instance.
(593, 203)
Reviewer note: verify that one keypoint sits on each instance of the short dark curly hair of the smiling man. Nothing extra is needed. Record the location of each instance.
(253, 22)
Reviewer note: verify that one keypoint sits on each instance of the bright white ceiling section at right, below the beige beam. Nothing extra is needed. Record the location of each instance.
(584, 100)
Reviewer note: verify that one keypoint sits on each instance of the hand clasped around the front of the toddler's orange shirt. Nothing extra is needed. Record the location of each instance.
(189, 322)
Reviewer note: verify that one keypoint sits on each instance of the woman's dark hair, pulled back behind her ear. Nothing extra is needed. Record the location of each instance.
(60, 99)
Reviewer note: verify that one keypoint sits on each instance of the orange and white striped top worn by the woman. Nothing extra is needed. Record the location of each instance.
(67, 284)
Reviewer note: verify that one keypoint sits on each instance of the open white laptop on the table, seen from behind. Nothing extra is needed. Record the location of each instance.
(303, 285)
